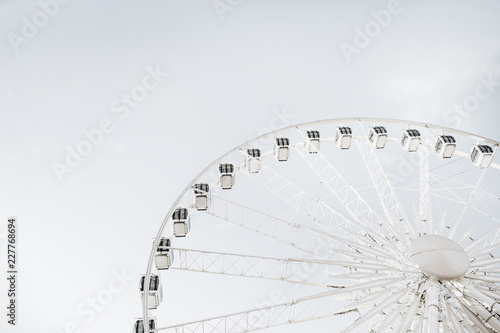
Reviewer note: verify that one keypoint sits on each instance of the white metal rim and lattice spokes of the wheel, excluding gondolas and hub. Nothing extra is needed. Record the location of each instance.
(464, 303)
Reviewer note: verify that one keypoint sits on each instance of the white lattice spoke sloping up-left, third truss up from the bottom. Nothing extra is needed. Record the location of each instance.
(298, 236)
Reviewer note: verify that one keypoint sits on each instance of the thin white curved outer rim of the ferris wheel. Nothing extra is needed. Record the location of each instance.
(271, 134)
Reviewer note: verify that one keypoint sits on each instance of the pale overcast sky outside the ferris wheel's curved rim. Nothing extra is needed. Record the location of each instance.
(236, 69)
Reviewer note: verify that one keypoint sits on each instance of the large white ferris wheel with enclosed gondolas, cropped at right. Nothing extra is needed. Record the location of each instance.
(370, 225)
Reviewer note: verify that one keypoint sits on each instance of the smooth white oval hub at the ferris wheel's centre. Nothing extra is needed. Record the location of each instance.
(439, 257)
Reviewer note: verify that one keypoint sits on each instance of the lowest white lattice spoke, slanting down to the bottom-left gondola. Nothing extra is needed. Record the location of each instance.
(303, 309)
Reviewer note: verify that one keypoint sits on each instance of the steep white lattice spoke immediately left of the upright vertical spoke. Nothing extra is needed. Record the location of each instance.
(388, 198)
